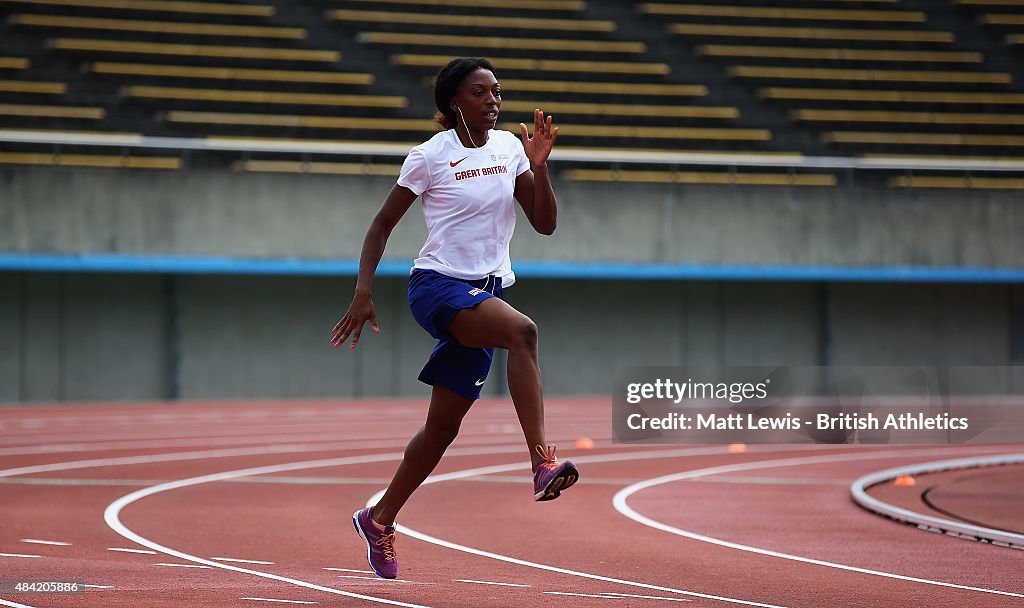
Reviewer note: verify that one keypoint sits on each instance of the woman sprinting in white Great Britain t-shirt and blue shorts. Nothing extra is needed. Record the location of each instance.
(467, 176)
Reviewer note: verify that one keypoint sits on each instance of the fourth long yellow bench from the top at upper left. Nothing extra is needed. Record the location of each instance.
(231, 73)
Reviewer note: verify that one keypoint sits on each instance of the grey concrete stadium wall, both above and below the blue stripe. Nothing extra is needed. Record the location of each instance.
(72, 337)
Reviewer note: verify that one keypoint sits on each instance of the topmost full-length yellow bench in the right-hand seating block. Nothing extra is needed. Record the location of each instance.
(769, 13)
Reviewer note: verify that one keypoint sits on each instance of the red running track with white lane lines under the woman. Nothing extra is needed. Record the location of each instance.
(193, 489)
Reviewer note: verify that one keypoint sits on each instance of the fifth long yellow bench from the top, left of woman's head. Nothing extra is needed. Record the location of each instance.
(263, 97)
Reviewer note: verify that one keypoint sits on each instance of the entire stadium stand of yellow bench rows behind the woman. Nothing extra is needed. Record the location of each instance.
(822, 77)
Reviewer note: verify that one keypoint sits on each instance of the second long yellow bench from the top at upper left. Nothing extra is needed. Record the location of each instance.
(149, 27)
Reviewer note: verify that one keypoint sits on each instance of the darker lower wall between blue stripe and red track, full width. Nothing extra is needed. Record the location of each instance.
(92, 337)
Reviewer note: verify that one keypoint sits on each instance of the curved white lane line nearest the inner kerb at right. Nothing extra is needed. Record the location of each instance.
(620, 503)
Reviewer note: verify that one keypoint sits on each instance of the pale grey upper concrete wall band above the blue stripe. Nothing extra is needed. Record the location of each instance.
(325, 218)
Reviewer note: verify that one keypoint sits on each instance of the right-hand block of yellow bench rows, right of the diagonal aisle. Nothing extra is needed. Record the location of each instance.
(891, 71)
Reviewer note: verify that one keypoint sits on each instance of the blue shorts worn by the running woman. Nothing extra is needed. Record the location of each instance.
(435, 300)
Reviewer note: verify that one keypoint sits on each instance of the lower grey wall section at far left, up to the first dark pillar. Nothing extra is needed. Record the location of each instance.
(83, 337)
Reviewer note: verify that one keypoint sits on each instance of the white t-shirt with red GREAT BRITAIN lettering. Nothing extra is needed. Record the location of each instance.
(468, 203)
